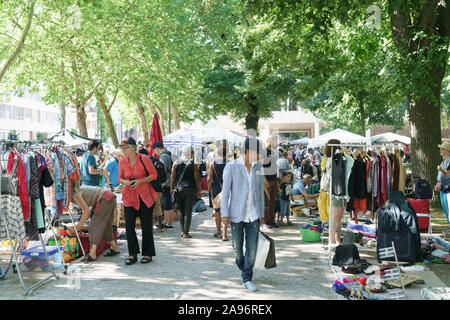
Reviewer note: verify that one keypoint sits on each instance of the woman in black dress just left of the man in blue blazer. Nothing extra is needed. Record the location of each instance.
(215, 181)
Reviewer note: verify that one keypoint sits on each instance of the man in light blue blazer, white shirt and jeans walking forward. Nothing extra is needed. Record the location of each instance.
(242, 206)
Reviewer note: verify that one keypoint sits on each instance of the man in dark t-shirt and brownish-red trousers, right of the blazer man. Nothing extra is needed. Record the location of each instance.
(271, 185)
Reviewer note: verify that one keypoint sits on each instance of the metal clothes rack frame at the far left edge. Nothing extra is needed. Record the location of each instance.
(15, 256)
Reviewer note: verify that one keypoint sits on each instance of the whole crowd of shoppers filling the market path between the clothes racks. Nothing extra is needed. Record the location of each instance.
(249, 186)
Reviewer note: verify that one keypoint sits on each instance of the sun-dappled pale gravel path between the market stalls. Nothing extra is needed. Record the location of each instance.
(200, 268)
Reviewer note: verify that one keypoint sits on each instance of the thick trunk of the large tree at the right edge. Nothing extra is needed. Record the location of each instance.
(421, 32)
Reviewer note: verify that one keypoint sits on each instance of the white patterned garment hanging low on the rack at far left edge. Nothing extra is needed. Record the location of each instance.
(12, 206)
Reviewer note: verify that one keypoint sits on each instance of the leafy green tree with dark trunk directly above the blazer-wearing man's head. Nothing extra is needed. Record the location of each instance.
(238, 81)
